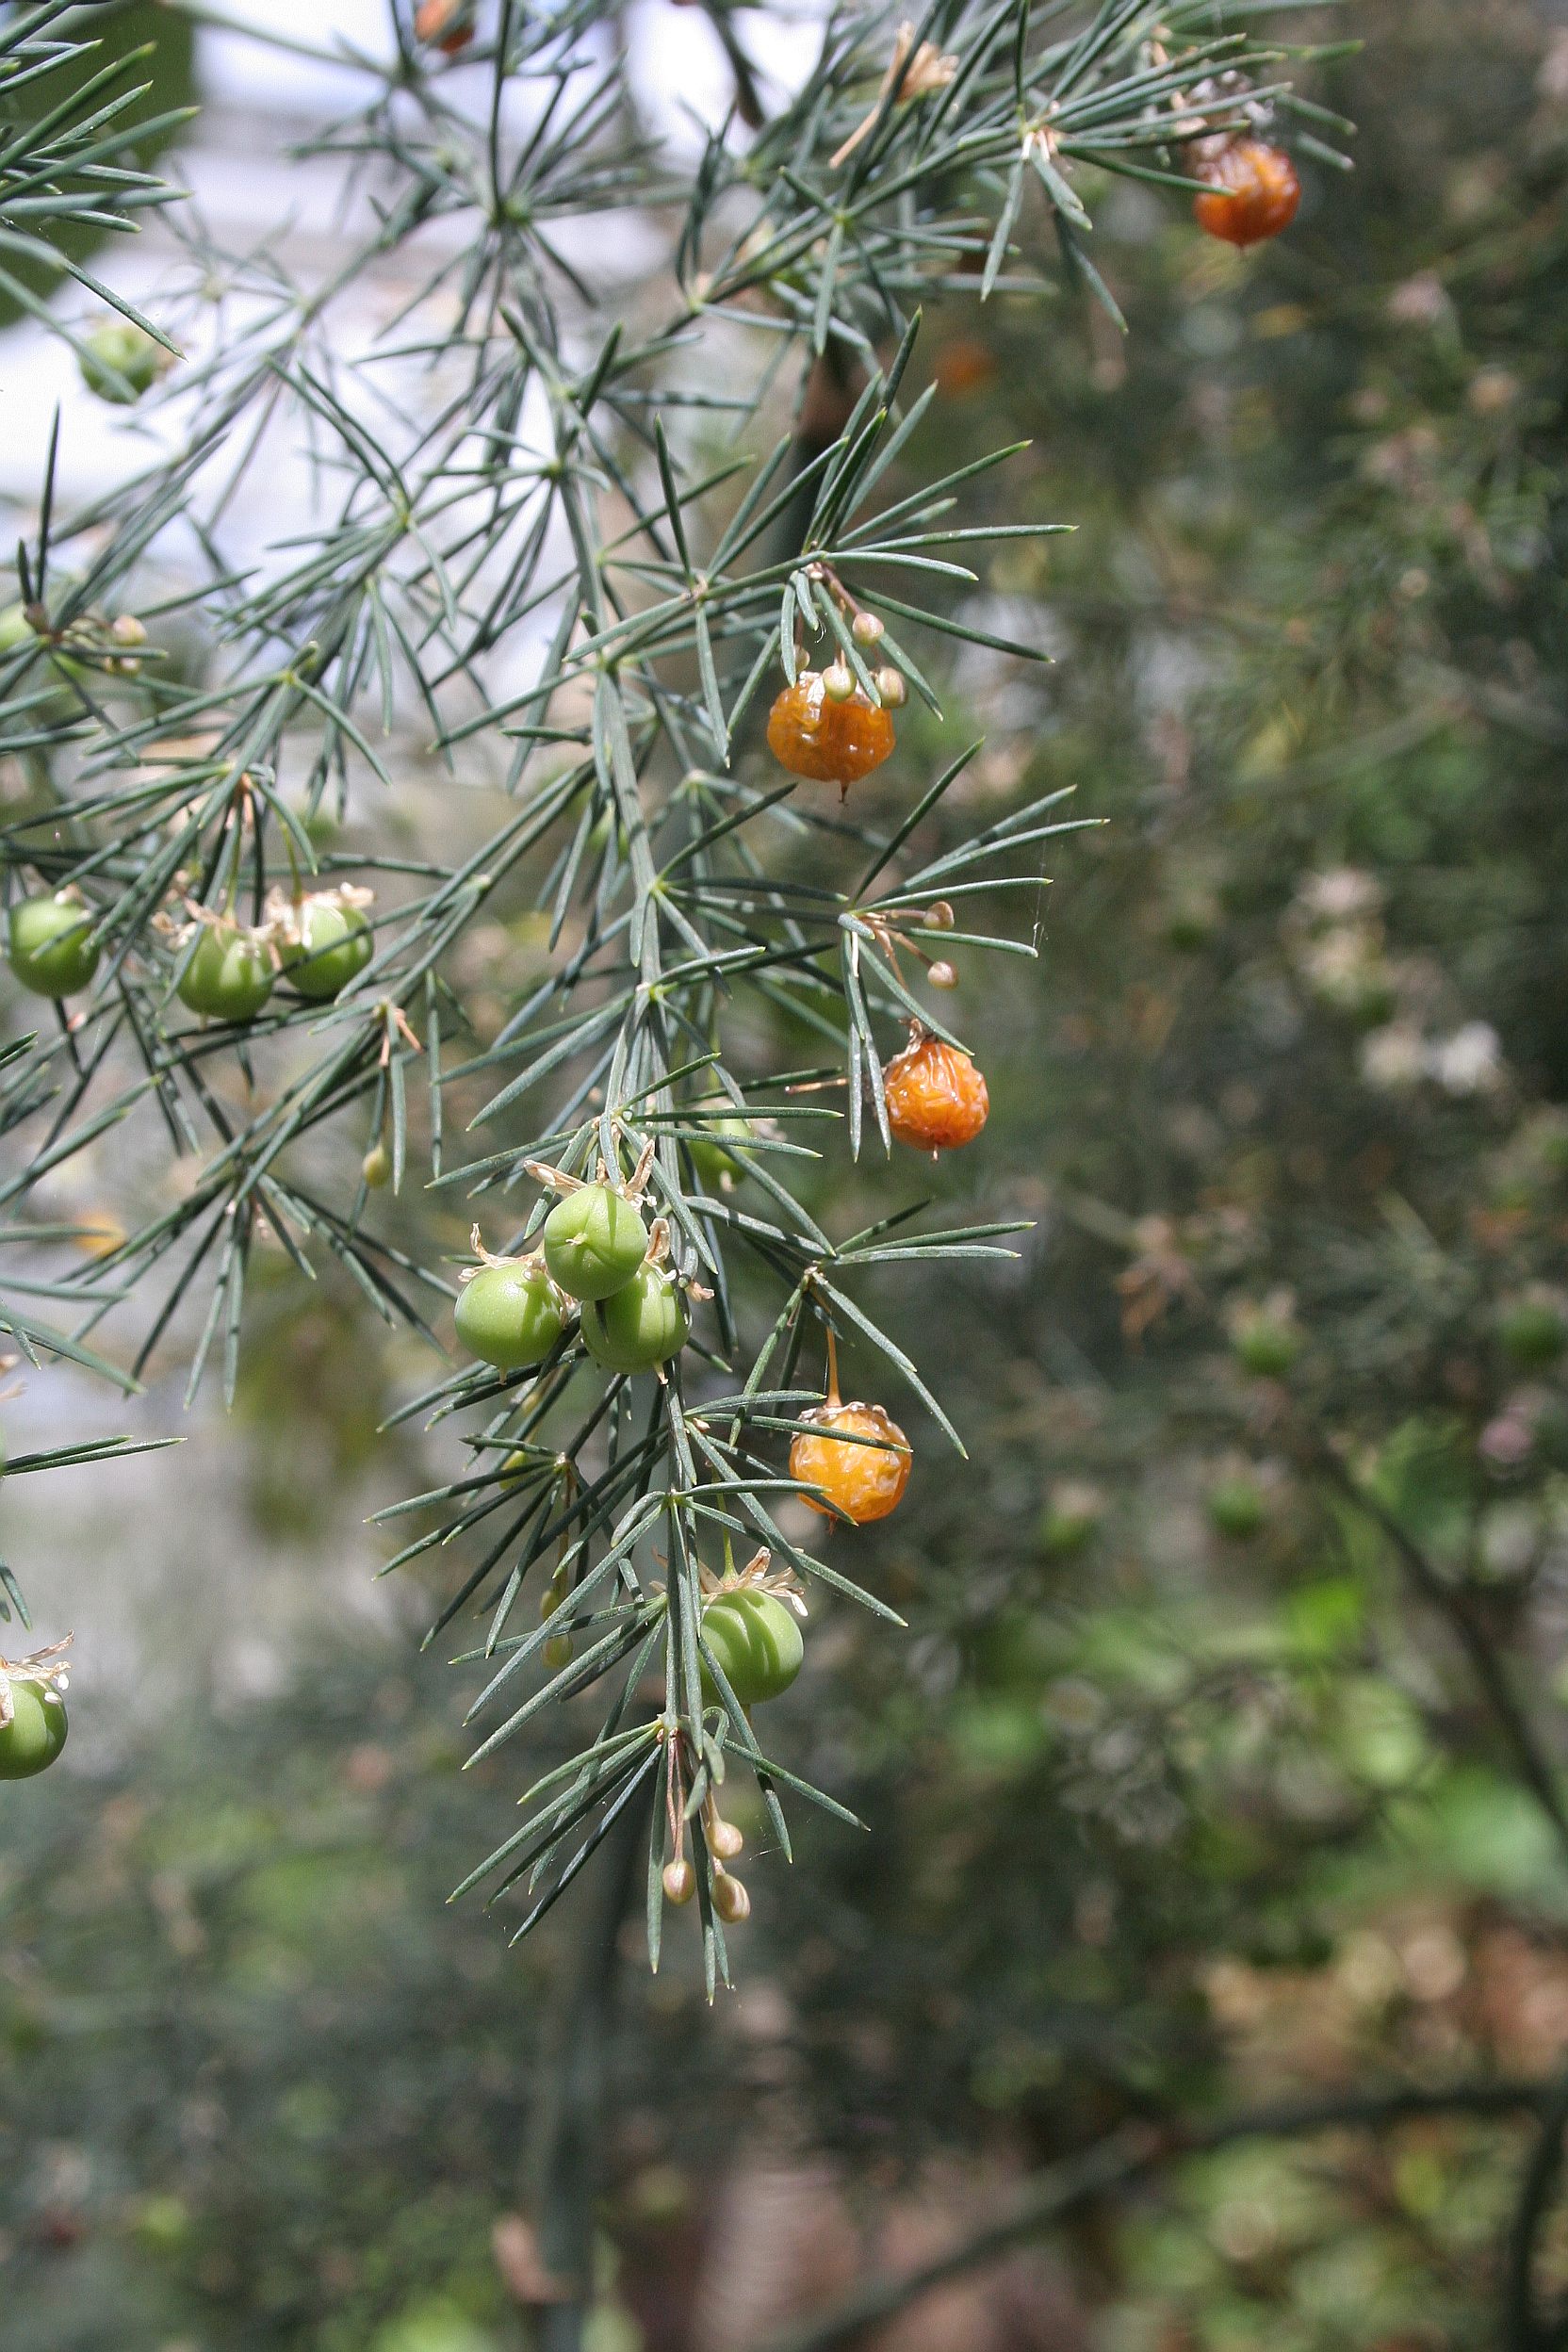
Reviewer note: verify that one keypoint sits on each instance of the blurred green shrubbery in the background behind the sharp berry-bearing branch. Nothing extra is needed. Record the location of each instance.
(1224, 1749)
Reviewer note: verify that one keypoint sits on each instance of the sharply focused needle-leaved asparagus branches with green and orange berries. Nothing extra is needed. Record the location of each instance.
(657, 547)
